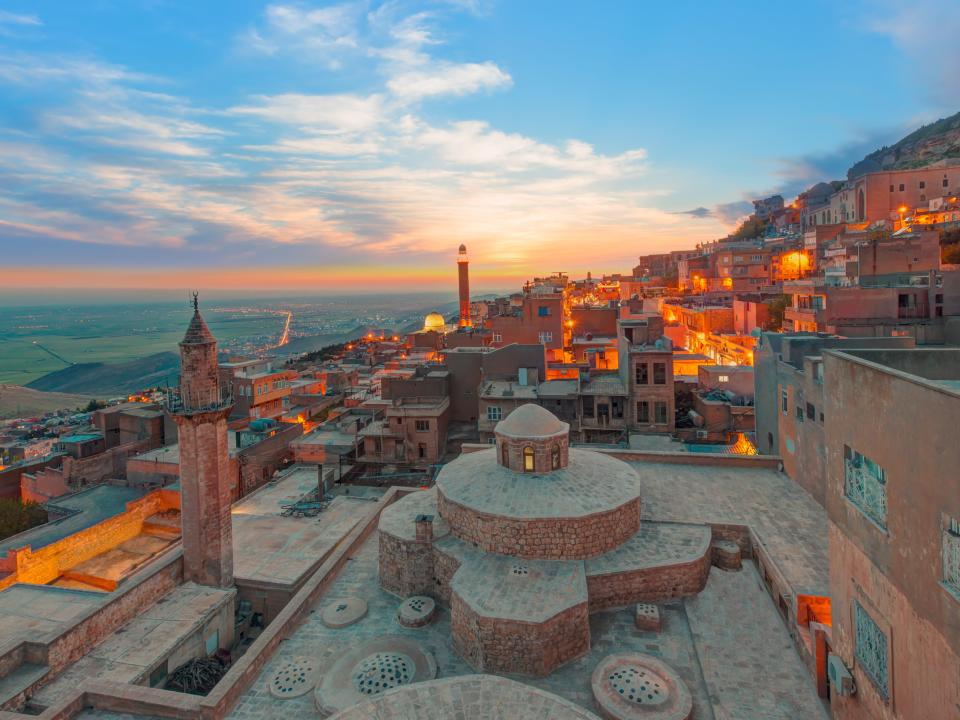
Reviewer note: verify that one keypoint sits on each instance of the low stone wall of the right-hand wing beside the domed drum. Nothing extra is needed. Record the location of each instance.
(653, 584)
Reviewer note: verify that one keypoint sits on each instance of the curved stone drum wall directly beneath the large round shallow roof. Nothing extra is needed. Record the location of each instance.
(547, 538)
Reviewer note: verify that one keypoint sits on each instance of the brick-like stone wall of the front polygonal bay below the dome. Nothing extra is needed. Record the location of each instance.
(509, 646)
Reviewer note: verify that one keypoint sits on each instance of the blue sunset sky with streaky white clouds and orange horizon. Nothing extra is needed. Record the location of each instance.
(309, 146)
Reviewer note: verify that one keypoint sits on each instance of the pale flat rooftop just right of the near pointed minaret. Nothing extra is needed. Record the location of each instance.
(273, 549)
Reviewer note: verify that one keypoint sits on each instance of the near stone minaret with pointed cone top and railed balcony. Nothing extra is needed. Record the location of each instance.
(200, 410)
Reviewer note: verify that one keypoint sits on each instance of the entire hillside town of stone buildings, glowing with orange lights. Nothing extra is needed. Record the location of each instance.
(767, 394)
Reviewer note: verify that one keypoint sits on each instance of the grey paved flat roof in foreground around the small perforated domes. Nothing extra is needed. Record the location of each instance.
(721, 643)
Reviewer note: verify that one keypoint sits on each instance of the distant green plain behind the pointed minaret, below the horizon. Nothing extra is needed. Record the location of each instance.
(114, 334)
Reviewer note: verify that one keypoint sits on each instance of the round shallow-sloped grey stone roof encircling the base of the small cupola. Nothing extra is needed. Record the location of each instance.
(589, 484)
